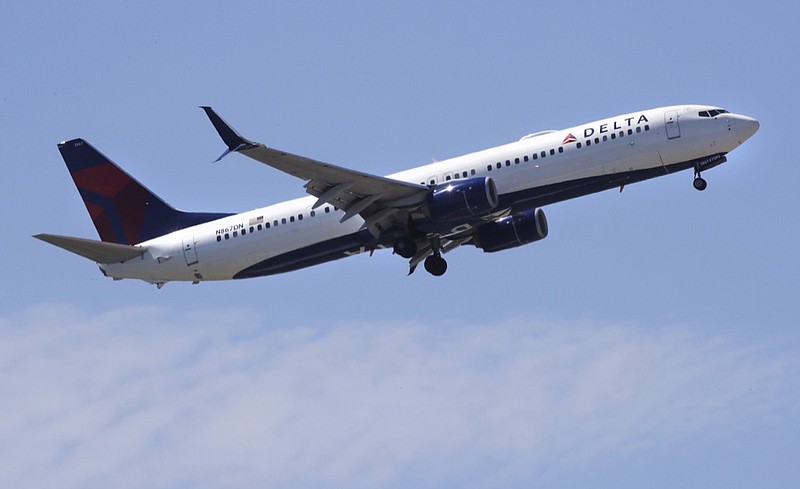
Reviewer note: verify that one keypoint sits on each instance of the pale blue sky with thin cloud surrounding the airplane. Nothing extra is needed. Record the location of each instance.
(650, 340)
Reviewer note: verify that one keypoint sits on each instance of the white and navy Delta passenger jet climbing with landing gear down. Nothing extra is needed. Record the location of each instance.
(490, 199)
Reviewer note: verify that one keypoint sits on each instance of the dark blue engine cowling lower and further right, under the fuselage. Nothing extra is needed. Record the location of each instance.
(512, 231)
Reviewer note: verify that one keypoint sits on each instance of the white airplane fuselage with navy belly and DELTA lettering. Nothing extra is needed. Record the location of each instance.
(535, 171)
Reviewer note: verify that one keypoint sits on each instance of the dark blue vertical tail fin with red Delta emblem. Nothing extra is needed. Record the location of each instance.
(122, 209)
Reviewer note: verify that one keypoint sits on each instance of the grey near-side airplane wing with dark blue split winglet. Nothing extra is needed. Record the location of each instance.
(380, 201)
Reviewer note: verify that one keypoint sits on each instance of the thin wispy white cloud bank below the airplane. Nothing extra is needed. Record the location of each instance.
(149, 397)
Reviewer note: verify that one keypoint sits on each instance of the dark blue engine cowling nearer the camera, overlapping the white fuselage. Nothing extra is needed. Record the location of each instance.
(462, 199)
